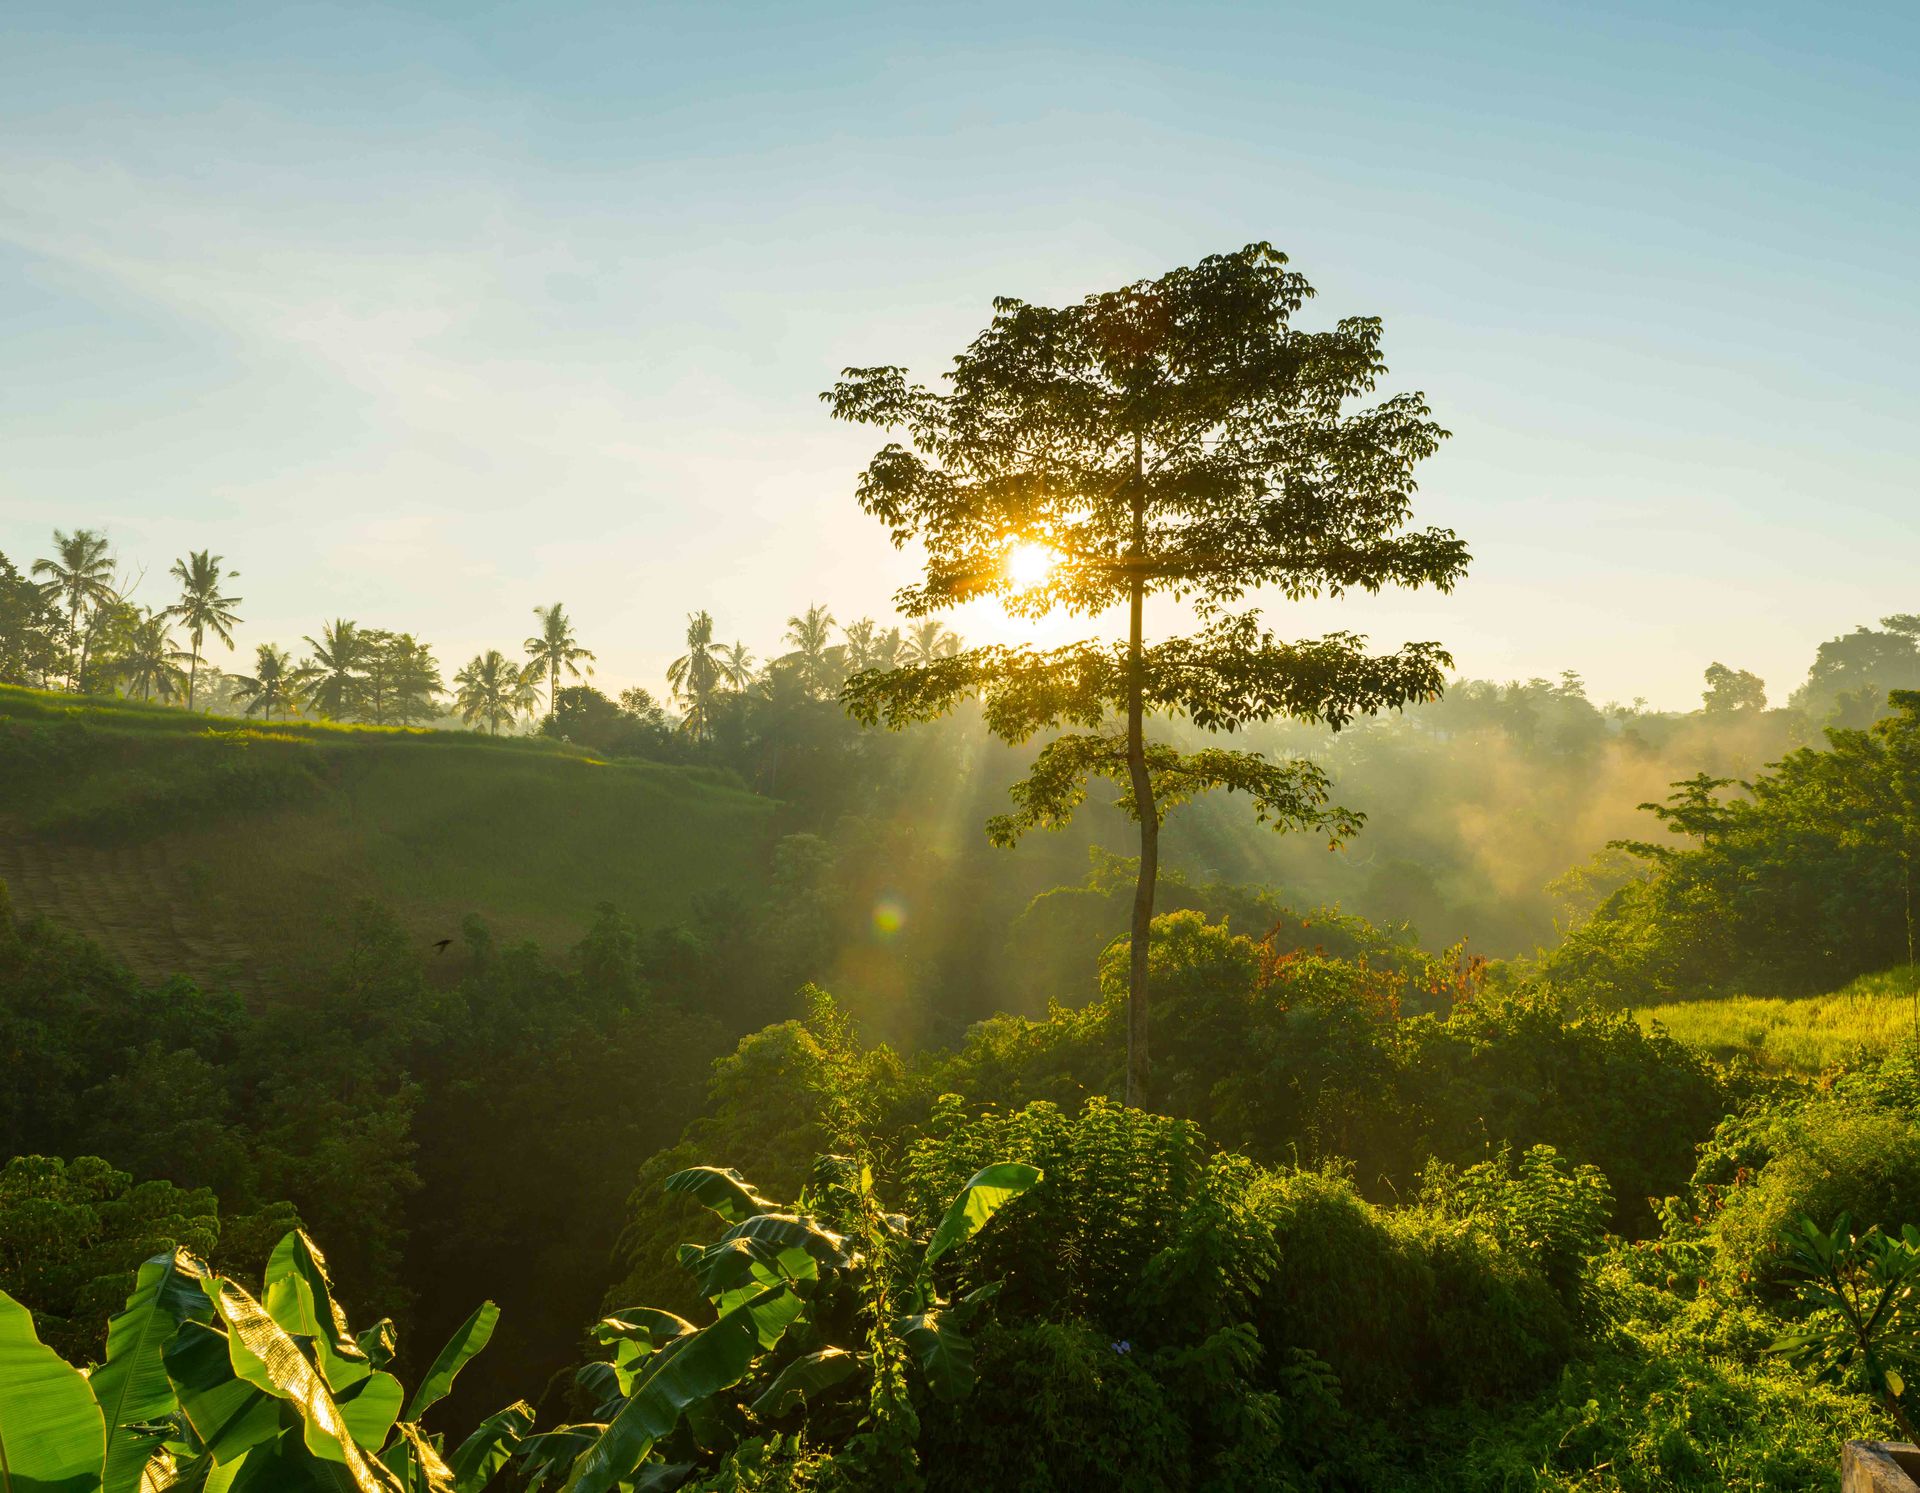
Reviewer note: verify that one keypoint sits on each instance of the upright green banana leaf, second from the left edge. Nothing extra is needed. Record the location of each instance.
(132, 1386)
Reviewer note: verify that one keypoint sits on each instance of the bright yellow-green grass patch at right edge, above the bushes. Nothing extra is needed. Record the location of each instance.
(1804, 1035)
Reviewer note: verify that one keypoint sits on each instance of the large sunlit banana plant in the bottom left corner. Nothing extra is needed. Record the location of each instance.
(206, 1386)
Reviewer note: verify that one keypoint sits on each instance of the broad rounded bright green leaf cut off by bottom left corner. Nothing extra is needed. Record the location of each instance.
(53, 1438)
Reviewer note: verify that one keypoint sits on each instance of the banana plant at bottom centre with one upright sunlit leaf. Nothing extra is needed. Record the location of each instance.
(675, 1396)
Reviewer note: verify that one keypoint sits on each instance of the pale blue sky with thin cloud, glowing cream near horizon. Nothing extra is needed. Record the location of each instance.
(425, 316)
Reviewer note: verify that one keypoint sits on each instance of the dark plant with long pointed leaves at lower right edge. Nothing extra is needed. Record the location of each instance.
(1863, 1321)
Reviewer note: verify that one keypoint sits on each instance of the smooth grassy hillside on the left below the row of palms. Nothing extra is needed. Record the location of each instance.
(214, 847)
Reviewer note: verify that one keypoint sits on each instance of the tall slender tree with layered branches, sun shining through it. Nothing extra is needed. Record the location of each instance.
(1178, 437)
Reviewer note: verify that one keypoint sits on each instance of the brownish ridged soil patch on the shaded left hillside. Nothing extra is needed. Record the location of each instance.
(133, 901)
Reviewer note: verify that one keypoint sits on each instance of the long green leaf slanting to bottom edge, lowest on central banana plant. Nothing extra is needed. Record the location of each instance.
(692, 1369)
